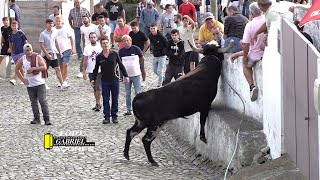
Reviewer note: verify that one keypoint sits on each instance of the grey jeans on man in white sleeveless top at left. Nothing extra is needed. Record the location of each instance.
(39, 93)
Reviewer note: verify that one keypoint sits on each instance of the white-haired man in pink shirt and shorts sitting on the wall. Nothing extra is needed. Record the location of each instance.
(251, 53)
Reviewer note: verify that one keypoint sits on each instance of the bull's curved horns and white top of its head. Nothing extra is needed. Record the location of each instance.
(212, 47)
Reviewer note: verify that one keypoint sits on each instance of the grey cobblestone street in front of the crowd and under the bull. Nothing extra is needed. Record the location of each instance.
(22, 154)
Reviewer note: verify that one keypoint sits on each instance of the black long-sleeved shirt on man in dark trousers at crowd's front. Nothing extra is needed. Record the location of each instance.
(109, 67)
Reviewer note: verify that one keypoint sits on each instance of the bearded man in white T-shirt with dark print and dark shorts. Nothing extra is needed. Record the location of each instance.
(90, 52)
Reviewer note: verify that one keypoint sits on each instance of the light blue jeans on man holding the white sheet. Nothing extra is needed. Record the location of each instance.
(135, 80)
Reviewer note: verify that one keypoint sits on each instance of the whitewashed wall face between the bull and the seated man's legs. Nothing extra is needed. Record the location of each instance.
(232, 74)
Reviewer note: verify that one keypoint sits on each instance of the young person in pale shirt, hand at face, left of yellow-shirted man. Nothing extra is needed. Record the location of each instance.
(186, 34)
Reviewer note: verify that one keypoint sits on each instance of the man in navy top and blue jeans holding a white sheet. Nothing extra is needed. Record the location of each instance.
(133, 60)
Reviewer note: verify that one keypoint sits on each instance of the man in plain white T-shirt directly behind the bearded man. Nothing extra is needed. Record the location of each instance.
(85, 30)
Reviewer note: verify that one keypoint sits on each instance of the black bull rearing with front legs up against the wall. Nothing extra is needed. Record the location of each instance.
(191, 93)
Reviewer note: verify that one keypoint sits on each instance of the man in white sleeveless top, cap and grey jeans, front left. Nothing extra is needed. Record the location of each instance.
(35, 83)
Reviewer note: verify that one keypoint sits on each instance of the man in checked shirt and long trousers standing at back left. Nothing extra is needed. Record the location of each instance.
(75, 21)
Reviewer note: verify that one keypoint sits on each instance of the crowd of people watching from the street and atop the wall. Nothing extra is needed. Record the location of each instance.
(111, 51)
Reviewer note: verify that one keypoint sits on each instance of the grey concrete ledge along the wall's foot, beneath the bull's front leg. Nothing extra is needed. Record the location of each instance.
(221, 130)
